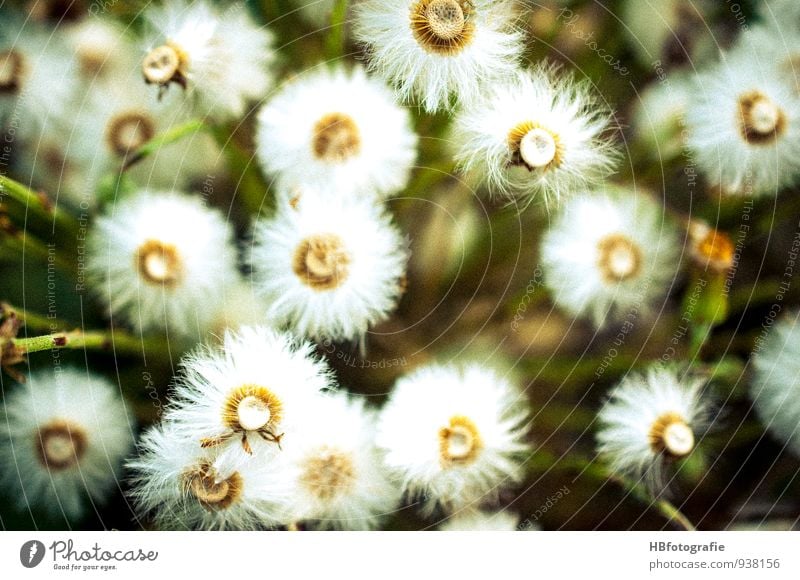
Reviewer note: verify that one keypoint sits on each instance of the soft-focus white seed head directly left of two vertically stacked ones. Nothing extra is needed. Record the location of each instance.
(158, 260)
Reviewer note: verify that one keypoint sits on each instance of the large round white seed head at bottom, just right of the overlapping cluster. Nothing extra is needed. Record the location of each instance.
(454, 436)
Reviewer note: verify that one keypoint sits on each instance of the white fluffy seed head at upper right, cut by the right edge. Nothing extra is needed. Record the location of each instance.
(744, 127)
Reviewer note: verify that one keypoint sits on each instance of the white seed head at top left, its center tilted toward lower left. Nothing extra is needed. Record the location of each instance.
(221, 57)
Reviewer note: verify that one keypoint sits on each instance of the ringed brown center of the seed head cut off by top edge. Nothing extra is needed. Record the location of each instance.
(442, 26)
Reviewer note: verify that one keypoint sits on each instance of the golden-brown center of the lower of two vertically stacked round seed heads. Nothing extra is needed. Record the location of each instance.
(322, 262)
